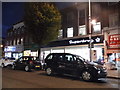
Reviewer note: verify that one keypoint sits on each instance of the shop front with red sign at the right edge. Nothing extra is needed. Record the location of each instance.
(113, 50)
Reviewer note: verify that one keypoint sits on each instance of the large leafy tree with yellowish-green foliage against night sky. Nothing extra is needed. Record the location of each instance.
(42, 21)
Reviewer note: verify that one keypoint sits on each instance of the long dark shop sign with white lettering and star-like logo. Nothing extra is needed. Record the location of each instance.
(76, 41)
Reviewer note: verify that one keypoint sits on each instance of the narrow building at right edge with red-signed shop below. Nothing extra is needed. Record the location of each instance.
(112, 34)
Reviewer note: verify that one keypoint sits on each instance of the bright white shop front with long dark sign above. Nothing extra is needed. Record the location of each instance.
(78, 46)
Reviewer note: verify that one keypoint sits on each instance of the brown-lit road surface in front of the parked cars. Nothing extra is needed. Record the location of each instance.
(38, 79)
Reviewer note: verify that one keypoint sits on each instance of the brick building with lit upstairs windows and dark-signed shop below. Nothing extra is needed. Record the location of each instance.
(74, 34)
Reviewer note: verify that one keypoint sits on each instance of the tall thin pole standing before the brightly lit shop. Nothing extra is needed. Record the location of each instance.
(90, 31)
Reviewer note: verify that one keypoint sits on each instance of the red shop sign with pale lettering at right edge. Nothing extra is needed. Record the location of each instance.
(114, 41)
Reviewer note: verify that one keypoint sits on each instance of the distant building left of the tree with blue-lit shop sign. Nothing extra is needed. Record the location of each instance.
(19, 43)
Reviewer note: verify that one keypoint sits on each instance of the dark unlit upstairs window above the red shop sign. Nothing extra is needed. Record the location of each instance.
(113, 20)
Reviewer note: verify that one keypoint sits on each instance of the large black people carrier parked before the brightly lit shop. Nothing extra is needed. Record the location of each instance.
(65, 63)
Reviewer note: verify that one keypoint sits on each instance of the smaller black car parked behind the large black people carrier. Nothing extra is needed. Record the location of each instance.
(27, 63)
